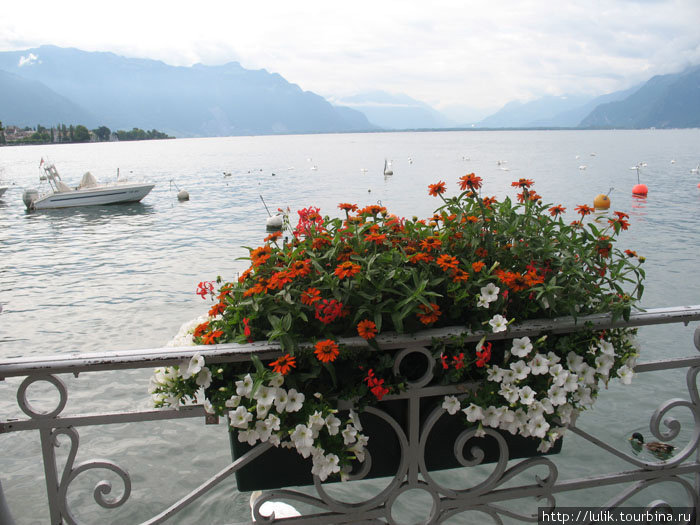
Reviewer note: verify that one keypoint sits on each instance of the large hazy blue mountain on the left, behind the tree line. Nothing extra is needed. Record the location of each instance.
(122, 93)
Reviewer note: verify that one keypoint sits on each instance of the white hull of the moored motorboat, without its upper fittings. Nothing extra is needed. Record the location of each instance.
(117, 194)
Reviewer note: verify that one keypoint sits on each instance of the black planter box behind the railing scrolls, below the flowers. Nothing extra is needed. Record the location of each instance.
(280, 467)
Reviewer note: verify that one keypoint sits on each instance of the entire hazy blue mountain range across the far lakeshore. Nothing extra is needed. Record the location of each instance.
(50, 85)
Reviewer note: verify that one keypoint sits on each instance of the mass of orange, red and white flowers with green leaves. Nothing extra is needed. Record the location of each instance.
(476, 262)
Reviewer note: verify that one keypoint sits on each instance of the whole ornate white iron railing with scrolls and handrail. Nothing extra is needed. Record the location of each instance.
(683, 468)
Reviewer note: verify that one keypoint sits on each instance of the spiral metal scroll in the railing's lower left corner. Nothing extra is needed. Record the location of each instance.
(70, 472)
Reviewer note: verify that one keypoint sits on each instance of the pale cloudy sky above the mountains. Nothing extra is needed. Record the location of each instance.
(480, 54)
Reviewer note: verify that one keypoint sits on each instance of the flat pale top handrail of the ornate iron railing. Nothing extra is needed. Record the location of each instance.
(166, 356)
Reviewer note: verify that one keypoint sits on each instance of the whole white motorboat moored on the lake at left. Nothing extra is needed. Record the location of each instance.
(88, 193)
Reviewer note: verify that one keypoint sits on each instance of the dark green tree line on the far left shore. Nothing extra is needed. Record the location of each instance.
(72, 134)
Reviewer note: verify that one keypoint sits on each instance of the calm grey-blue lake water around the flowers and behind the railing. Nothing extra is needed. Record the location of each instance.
(123, 277)
